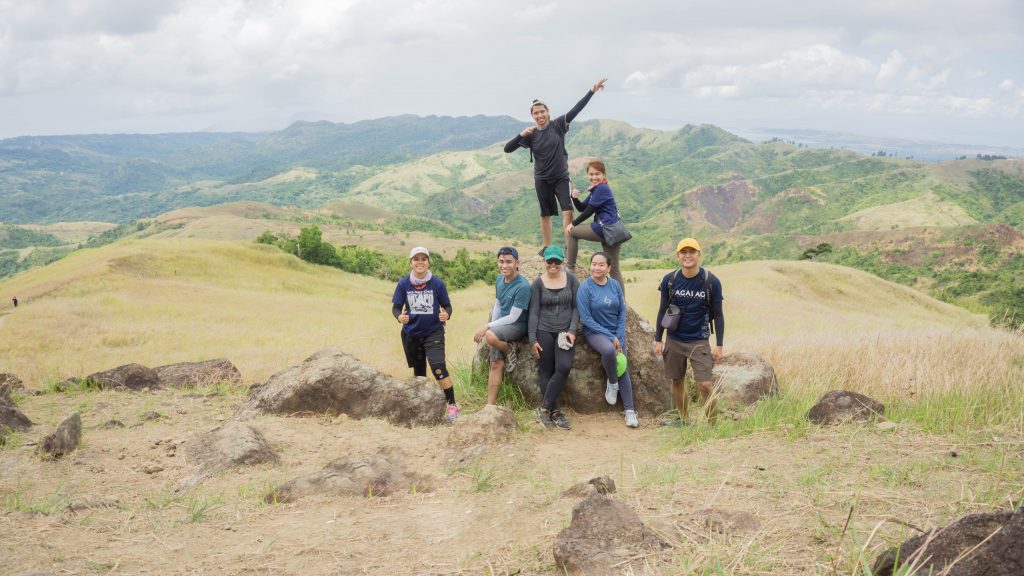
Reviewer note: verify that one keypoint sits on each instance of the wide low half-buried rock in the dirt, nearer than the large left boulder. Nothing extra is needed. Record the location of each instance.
(380, 475)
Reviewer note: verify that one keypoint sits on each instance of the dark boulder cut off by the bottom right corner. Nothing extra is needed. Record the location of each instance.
(990, 545)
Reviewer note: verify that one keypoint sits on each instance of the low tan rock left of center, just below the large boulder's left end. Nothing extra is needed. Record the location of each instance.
(226, 447)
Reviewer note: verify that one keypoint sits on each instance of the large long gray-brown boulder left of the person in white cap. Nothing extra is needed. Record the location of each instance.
(335, 383)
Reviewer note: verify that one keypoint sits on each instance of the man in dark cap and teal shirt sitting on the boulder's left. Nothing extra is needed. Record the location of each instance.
(508, 319)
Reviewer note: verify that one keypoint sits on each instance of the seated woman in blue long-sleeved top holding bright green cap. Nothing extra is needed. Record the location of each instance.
(603, 311)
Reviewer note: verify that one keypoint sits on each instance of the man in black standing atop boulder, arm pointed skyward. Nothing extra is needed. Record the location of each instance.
(546, 141)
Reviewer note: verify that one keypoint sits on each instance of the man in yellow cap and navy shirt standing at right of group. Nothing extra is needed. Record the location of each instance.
(691, 310)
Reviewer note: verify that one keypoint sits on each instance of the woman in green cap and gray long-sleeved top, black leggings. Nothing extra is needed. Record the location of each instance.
(552, 327)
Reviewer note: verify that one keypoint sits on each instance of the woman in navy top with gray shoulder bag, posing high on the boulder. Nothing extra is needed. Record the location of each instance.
(602, 205)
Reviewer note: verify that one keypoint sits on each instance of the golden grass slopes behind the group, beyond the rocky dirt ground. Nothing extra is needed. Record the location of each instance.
(162, 301)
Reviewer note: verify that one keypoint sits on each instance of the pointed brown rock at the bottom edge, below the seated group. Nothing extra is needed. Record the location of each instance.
(604, 536)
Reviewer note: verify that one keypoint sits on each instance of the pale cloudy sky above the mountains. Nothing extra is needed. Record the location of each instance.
(940, 70)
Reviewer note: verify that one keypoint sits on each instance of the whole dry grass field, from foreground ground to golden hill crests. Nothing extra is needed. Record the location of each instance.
(951, 385)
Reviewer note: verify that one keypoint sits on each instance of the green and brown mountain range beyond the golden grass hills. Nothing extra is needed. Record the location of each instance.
(911, 221)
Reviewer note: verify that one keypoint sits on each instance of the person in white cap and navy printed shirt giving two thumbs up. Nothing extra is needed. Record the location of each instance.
(422, 306)
